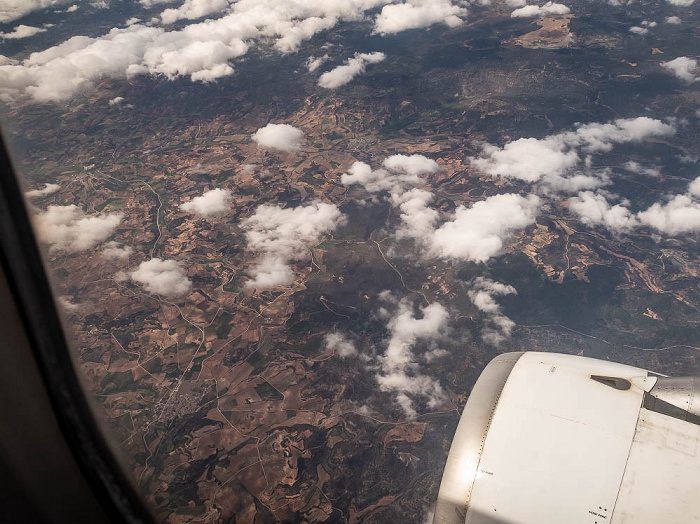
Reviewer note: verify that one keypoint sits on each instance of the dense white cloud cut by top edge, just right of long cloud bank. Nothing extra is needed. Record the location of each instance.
(415, 14)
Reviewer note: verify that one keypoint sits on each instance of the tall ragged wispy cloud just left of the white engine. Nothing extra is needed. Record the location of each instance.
(399, 373)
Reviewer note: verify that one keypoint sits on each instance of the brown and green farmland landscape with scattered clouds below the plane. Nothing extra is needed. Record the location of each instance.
(287, 236)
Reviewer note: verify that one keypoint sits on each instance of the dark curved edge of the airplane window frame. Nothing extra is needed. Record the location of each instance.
(30, 290)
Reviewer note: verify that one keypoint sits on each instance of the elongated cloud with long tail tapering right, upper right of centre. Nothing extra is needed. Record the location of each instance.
(555, 160)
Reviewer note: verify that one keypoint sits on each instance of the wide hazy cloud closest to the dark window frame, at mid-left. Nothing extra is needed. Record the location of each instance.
(68, 228)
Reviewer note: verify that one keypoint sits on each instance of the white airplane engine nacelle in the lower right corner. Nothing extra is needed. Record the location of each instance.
(547, 438)
